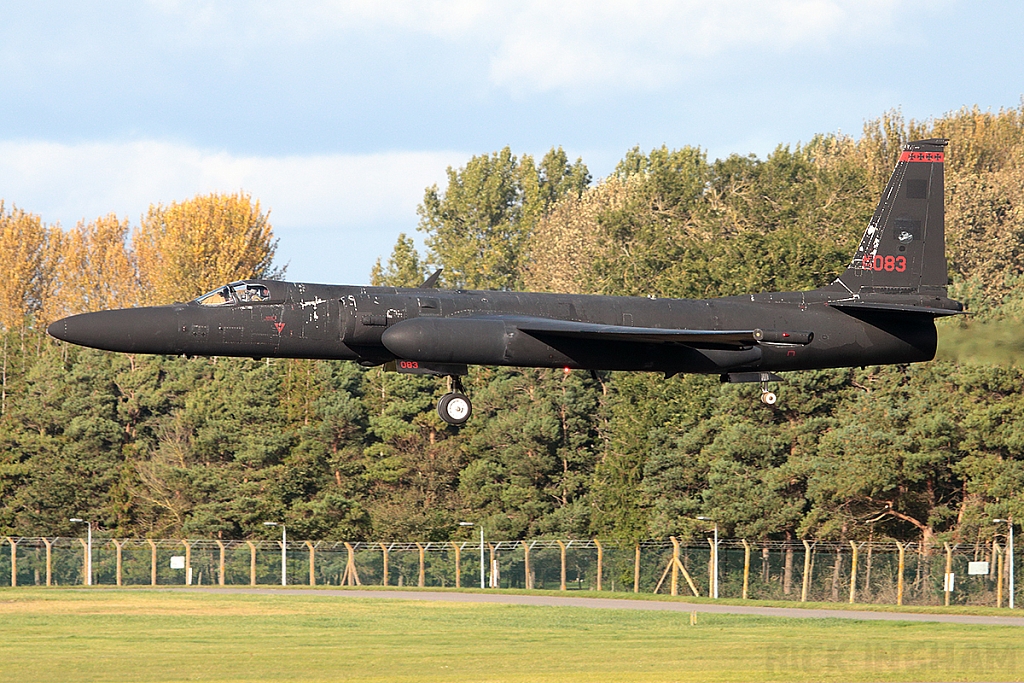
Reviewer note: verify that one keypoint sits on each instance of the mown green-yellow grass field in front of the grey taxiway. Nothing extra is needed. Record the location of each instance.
(139, 635)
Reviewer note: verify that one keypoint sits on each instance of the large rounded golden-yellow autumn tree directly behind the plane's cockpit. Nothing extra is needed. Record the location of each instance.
(192, 247)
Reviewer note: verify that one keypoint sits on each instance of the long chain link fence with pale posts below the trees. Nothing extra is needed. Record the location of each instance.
(885, 573)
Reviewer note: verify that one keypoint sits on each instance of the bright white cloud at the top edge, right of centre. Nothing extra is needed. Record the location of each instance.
(586, 46)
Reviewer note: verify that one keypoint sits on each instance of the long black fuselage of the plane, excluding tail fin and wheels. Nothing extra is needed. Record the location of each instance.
(376, 325)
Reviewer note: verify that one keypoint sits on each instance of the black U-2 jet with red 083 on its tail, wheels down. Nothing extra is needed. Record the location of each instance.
(881, 311)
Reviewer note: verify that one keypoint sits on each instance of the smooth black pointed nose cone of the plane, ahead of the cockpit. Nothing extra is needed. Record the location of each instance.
(130, 330)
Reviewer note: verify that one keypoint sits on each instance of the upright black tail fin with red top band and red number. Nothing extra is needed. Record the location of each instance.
(904, 249)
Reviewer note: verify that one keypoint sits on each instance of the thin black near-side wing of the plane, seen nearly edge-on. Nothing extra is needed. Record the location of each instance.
(542, 327)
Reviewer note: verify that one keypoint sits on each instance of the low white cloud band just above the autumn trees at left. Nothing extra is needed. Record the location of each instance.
(68, 183)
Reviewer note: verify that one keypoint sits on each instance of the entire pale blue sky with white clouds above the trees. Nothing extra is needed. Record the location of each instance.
(338, 115)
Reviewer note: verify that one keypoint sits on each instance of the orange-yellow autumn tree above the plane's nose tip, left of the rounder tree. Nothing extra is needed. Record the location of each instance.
(94, 271)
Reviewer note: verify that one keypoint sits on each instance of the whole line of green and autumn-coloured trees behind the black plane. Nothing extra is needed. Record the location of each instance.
(157, 446)
